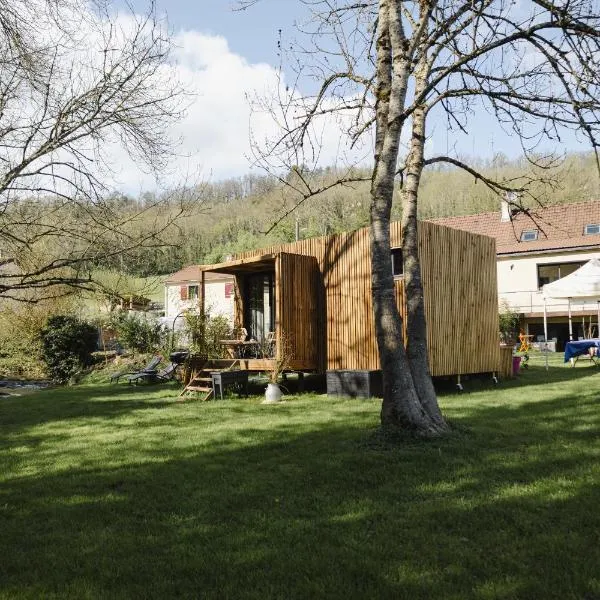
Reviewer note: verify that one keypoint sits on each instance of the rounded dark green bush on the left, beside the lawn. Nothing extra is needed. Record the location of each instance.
(67, 346)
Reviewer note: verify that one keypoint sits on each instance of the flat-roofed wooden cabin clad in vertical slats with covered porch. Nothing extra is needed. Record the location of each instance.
(316, 295)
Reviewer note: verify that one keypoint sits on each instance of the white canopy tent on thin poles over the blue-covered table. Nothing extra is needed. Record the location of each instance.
(583, 284)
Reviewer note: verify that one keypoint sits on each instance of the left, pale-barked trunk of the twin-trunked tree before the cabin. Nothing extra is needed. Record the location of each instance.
(401, 406)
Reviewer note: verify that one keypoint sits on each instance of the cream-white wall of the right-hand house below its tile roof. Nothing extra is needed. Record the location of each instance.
(518, 282)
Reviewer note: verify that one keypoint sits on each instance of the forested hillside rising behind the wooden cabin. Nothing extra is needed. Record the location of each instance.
(239, 212)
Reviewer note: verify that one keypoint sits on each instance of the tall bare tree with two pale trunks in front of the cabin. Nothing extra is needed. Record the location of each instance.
(388, 70)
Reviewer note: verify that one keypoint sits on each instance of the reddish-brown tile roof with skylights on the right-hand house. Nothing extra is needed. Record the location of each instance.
(560, 226)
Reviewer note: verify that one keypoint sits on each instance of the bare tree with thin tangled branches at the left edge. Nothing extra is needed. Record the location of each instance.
(79, 87)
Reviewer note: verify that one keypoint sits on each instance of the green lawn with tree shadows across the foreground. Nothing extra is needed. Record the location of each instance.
(116, 492)
